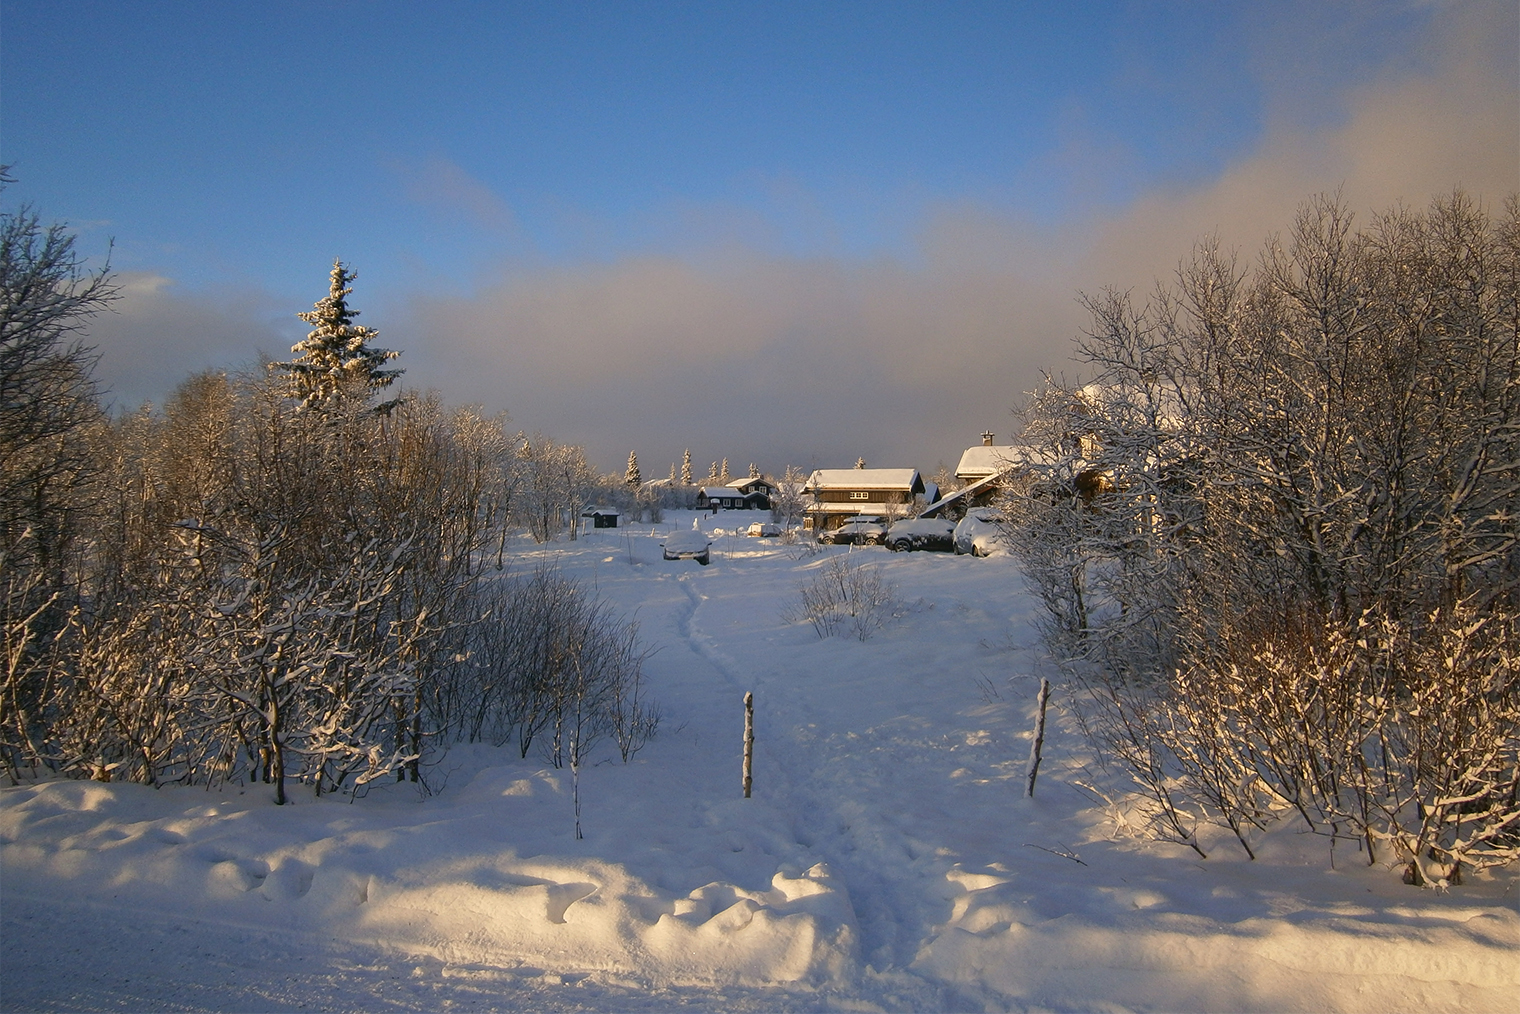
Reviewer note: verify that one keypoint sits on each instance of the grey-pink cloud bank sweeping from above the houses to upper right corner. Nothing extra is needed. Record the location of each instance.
(746, 353)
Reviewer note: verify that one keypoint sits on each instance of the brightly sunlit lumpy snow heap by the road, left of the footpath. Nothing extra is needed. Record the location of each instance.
(598, 917)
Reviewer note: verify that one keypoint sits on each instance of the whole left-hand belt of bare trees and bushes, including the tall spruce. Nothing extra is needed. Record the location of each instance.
(285, 575)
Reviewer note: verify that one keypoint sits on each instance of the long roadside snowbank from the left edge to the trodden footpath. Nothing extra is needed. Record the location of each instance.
(411, 890)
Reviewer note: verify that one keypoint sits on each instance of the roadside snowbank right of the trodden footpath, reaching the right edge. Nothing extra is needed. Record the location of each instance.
(1010, 939)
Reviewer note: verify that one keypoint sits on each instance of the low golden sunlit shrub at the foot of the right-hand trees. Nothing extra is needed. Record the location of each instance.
(1405, 743)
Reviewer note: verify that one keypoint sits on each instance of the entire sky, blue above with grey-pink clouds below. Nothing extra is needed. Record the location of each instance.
(767, 232)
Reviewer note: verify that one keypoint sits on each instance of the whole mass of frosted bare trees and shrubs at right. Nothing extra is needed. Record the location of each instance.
(1278, 536)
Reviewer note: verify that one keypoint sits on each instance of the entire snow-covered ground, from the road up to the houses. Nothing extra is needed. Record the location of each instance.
(887, 860)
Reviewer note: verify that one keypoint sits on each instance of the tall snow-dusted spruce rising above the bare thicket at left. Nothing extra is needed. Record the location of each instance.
(337, 360)
